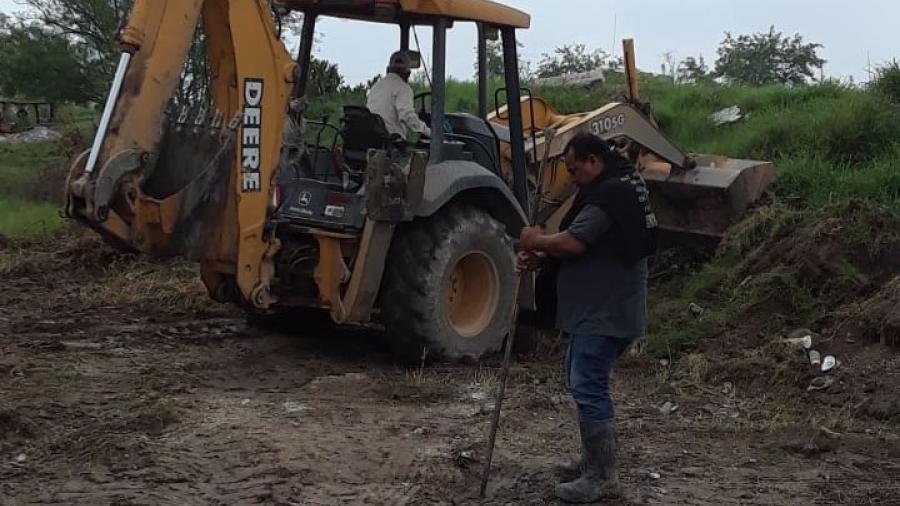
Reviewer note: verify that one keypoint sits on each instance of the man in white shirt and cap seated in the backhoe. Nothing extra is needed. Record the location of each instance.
(392, 99)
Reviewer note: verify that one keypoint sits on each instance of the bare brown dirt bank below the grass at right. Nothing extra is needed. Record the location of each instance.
(835, 272)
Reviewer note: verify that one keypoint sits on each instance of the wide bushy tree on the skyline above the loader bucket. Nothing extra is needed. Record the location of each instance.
(768, 58)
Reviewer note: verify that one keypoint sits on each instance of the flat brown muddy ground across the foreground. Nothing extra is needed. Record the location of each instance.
(143, 401)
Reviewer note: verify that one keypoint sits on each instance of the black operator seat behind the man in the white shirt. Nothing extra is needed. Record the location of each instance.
(363, 130)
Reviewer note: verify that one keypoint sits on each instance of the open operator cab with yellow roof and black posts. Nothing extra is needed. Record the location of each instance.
(323, 185)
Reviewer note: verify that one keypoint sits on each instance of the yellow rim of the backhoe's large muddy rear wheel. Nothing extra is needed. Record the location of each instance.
(473, 292)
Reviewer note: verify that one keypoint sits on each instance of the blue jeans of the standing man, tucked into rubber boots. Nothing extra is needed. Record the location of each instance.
(590, 360)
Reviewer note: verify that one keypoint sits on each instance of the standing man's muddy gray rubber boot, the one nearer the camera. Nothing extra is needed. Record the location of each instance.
(600, 479)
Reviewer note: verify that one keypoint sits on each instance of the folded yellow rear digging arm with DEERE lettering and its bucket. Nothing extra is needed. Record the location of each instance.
(193, 179)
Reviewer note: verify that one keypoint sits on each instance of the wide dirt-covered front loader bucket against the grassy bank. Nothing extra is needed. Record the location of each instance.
(706, 200)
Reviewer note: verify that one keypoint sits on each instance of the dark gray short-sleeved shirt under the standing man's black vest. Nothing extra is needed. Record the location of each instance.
(597, 294)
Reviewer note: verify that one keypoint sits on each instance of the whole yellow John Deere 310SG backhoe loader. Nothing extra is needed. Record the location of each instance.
(416, 237)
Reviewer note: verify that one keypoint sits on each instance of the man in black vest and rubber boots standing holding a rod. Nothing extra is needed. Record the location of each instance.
(602, 252)
